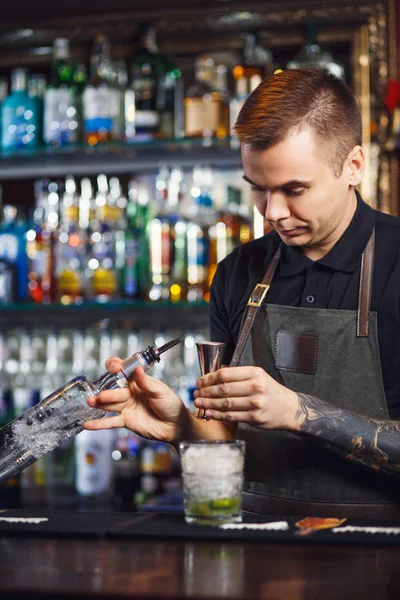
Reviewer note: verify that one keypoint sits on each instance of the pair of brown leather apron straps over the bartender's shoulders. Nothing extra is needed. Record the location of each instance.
(258, 294)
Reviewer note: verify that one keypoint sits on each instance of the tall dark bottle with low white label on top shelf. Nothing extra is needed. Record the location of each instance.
(146, 70)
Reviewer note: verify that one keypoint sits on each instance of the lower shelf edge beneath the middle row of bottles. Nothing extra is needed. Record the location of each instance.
(133, 314)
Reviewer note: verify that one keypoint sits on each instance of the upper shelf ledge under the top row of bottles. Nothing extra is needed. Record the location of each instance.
(119, 158)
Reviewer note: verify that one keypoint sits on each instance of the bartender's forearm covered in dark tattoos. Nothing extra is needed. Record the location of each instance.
(372, 443)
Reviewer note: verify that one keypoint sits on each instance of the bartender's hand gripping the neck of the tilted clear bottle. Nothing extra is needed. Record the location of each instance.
(147, 406)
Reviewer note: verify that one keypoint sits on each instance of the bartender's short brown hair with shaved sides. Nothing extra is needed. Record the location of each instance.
(302, 99)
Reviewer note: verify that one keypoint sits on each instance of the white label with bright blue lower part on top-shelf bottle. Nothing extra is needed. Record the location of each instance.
(97, 109)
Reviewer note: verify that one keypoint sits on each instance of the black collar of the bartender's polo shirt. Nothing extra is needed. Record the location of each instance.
(345, 254)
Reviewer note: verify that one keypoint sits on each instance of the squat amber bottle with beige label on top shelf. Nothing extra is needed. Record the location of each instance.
(206, 107)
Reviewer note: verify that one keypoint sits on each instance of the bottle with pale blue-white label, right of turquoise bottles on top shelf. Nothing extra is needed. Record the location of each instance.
(61, 111)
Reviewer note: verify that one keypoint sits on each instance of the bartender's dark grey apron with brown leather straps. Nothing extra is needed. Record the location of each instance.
(331, 354)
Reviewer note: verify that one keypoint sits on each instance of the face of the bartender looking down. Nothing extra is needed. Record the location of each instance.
(296, 191)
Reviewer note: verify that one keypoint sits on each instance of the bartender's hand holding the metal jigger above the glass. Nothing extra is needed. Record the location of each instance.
(247, 395)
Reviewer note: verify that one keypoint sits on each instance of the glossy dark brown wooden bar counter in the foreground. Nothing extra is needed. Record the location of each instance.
(51, 567)
